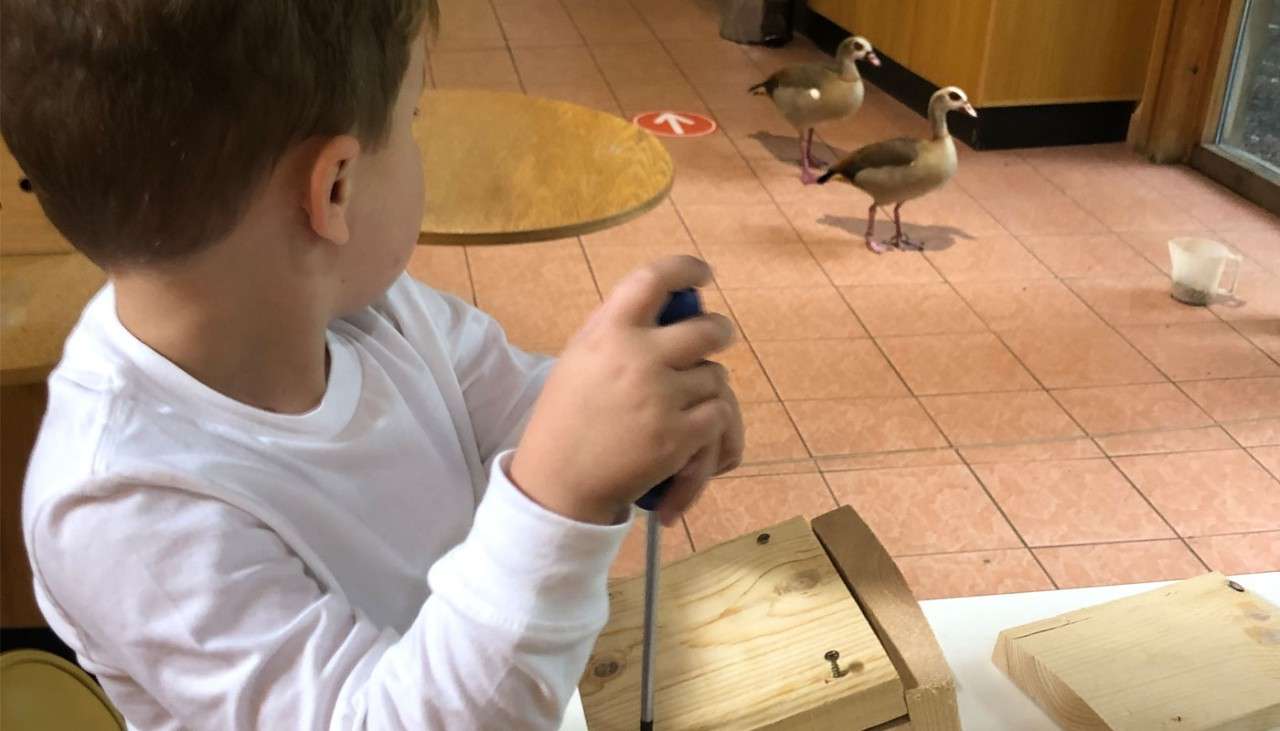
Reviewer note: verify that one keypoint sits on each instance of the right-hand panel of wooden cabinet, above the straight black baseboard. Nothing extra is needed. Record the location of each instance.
(1057, 52)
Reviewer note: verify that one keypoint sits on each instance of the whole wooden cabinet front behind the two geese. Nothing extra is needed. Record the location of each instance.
(1012, 53)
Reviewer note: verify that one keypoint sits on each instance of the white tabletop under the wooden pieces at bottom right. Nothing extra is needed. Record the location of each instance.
(967, 631)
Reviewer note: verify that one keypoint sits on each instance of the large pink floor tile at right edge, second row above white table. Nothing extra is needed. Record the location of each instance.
(1206, 494)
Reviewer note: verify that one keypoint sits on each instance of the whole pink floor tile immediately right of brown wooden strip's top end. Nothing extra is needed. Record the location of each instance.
(925, 510)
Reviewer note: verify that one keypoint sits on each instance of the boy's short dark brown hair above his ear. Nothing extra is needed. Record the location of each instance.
(145, 126)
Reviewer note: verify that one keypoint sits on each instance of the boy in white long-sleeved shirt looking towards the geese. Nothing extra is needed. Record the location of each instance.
(276, 485)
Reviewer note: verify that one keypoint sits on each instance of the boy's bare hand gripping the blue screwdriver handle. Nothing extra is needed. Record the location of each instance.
(630, 404)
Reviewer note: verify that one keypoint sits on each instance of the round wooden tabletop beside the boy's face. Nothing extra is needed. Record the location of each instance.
(506, 168)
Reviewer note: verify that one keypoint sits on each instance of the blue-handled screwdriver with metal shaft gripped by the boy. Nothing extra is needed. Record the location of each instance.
(683, 305)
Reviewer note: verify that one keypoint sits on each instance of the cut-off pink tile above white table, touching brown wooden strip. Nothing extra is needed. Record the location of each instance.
(976, 574)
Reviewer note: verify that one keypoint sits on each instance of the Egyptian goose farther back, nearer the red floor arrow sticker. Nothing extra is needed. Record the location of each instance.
(812, 94)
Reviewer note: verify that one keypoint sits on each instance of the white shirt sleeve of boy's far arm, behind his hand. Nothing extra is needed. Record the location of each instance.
(500, 382)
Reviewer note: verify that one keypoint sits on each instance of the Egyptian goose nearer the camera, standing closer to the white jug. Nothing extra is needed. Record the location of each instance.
(899, 171)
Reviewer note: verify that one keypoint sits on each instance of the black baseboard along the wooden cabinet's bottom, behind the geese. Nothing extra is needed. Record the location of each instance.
(996, 127)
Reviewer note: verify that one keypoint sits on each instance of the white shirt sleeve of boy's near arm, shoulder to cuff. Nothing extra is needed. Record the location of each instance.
(211, 614)
